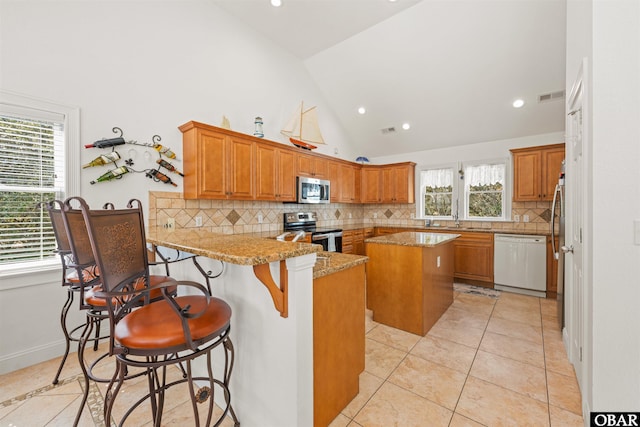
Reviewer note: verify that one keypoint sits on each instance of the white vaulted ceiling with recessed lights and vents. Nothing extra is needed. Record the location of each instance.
(449, 68)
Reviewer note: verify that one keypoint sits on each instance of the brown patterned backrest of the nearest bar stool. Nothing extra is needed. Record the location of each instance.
(118, 243)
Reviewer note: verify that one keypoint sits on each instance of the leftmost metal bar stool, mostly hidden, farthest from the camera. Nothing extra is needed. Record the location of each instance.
(75, 280)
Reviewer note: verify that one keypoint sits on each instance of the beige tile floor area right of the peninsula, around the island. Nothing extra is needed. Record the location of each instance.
(486, 362)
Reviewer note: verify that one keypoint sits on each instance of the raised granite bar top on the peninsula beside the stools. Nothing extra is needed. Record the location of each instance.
(233, 248)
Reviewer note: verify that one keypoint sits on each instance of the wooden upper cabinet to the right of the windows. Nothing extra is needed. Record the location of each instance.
(536, 171)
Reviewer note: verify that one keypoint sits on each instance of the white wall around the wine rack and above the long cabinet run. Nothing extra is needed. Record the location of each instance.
(146, 67)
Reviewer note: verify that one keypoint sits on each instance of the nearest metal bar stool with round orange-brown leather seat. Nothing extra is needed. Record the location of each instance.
(153, 336)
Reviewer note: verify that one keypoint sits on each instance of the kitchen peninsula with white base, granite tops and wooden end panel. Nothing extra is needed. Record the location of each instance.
(273, 289)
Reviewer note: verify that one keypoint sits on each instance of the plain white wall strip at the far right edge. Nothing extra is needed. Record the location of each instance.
(616, 204)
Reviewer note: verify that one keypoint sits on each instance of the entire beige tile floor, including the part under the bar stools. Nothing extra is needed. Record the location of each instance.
(491, 362)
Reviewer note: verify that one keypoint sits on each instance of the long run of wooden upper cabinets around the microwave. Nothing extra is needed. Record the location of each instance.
(224, 164)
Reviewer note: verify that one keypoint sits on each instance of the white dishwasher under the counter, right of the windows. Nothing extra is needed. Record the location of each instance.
(520, 264)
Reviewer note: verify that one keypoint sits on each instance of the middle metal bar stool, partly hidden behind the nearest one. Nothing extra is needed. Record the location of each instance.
(96, 307)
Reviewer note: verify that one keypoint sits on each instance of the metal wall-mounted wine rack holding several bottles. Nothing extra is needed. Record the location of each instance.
(112, 158)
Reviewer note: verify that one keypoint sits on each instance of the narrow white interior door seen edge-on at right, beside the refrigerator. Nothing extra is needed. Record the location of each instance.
(577, 300)
